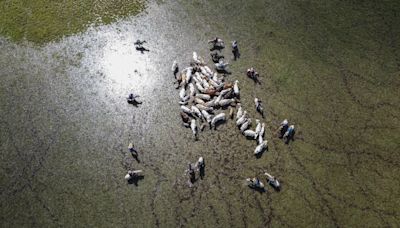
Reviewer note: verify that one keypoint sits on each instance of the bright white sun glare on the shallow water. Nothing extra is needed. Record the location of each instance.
(109, 56)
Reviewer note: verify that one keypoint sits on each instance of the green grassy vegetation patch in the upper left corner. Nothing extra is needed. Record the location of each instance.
(45, 20)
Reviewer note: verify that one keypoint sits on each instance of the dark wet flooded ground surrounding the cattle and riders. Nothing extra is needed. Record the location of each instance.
(331, 68)
